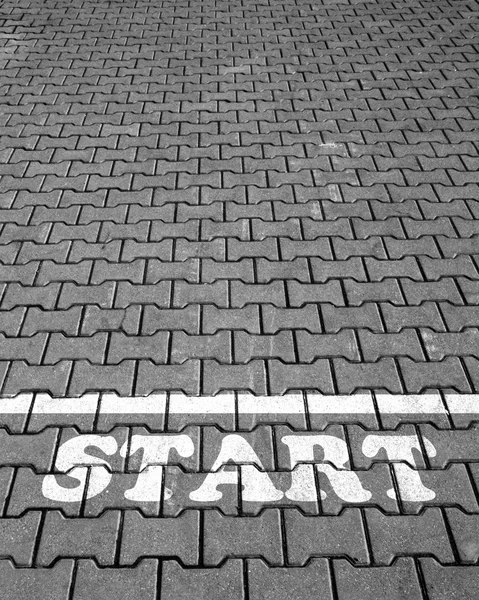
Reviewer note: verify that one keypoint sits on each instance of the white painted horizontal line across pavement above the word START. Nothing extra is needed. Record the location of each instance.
(224, 404)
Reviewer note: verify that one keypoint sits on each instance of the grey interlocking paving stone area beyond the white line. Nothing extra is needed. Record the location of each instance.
(265, 196)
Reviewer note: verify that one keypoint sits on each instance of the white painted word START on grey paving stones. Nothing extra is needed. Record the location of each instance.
(89, 474)
